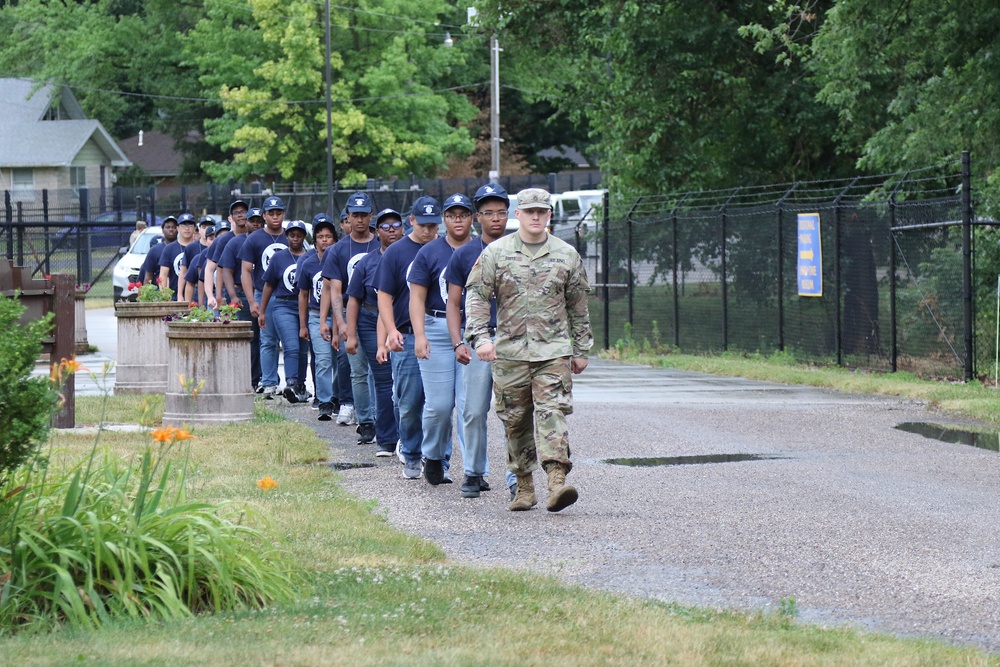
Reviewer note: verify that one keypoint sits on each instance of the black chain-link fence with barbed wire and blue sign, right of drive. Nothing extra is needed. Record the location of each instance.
(905, 277)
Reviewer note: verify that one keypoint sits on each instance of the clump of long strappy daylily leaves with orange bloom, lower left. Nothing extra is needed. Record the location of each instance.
(109, 538)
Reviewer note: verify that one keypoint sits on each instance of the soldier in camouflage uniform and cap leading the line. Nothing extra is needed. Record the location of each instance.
(542, 337)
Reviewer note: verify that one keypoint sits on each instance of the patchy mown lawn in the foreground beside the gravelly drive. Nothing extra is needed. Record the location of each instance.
(372, 595)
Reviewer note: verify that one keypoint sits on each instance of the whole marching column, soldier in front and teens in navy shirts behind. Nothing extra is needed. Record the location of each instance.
(405, 330)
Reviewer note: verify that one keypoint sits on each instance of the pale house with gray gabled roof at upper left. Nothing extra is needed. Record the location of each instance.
(48, 143)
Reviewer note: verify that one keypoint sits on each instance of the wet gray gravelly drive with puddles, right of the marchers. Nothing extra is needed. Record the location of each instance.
(859, 522)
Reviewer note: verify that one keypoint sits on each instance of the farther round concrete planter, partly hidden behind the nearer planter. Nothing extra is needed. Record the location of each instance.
(142, 346)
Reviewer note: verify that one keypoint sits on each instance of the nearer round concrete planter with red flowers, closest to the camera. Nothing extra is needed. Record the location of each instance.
(214, 359)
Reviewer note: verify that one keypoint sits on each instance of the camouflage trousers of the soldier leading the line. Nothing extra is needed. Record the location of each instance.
(532, 400)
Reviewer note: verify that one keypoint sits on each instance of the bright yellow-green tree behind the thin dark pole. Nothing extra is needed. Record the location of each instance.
(388, 119)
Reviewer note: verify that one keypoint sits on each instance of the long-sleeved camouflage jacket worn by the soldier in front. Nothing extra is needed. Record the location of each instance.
(541, 301)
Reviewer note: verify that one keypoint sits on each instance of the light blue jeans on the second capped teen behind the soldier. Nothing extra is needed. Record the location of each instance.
(443, 391)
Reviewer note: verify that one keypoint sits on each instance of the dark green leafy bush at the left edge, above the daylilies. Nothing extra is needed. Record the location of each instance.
(26, 403)
